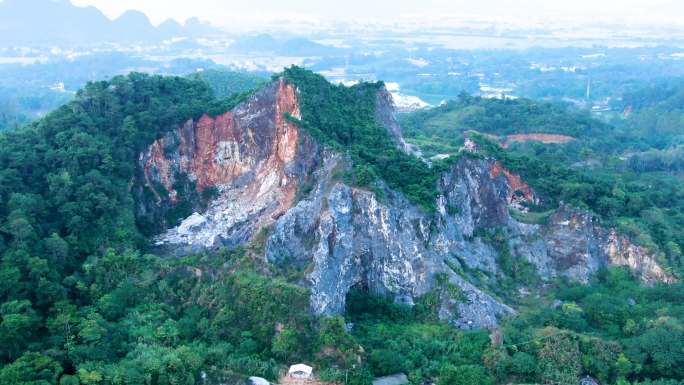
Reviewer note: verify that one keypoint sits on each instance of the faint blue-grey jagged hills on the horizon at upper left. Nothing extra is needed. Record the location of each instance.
(58, 22)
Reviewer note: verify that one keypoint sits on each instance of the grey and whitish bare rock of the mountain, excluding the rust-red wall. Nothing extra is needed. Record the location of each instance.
(342, 237)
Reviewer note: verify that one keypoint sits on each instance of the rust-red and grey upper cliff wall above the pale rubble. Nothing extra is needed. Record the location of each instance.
(214, 151)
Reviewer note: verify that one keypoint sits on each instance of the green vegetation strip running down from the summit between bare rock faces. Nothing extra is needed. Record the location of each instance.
(344, 118)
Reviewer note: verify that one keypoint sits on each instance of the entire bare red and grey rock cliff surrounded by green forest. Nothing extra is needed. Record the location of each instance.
(254, 175)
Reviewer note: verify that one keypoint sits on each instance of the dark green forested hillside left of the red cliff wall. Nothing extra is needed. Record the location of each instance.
(64, 180)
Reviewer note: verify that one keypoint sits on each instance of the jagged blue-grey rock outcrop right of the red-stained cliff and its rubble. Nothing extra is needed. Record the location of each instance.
(348, 237)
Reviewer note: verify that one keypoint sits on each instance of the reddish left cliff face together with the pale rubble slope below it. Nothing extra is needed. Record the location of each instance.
(250, 155)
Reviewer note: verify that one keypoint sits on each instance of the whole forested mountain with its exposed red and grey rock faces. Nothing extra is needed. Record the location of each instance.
(330, 256)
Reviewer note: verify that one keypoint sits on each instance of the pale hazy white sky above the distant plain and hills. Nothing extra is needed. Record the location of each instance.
(233, 12)
